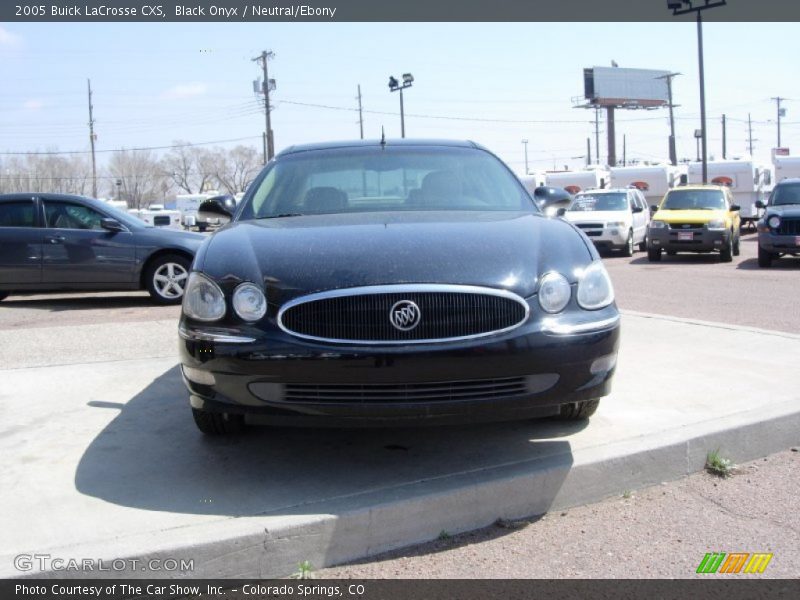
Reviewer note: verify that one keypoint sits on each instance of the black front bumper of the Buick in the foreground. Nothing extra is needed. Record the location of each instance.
(279, 379)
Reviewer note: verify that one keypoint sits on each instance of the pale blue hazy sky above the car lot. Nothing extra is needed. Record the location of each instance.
(494, 83)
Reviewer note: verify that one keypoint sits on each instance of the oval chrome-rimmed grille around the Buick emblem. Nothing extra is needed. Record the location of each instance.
(361, 315)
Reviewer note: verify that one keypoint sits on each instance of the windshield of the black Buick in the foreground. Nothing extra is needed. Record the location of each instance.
(399, 178)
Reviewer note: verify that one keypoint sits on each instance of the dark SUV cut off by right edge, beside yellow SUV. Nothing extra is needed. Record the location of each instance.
(779, 228)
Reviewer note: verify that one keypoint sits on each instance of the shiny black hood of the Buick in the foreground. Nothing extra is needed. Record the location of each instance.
(299, 255)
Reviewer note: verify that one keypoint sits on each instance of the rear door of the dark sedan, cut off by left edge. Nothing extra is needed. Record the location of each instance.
(21, 238)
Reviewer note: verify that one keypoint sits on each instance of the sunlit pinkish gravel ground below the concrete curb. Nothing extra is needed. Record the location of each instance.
(659, 532)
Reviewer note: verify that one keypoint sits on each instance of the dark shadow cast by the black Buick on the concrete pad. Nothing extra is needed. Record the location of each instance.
(151, 457)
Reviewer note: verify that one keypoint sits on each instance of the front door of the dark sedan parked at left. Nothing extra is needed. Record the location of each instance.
(78, 253)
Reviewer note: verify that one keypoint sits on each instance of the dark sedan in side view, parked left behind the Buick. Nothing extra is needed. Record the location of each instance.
(55, 242)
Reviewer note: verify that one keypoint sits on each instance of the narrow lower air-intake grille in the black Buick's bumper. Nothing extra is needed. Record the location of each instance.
(440, 391)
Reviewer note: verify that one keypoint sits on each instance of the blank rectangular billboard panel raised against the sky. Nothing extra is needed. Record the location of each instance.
(625, 88)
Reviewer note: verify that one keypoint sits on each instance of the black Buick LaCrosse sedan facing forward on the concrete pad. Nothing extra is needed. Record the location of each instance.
(394, 283)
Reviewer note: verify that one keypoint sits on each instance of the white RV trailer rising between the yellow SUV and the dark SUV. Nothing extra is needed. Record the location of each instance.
(748, 181)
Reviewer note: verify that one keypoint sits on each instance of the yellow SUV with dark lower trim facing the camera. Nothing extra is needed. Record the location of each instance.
(696, 218)
